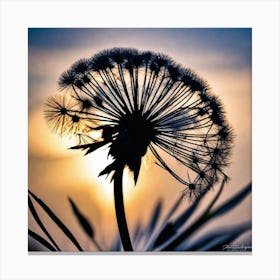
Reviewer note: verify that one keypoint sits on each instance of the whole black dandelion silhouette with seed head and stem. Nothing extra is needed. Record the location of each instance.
(140, 101)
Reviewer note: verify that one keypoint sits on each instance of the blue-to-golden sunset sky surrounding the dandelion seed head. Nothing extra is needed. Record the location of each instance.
(221, 56)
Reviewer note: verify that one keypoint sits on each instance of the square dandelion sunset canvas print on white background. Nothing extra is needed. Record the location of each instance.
(139, 140)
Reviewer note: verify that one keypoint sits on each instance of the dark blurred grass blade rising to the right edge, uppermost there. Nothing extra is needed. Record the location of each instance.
(231, 203)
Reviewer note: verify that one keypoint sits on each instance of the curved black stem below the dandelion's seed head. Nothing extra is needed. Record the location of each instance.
(120, 214)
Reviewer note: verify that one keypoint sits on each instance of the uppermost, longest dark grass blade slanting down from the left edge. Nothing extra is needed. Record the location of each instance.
(59, 223)
